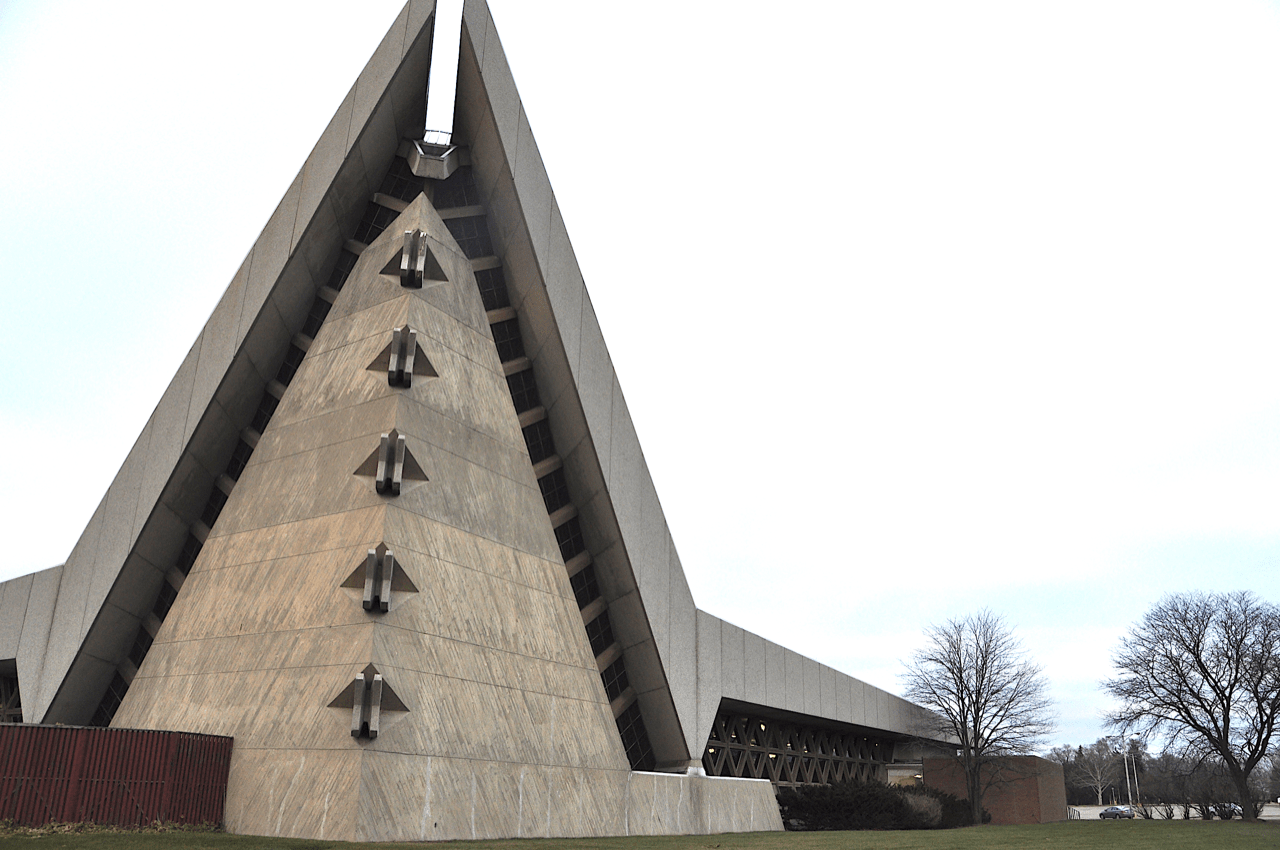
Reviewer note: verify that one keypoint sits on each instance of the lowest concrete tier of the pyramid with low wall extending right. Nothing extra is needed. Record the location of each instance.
(441, 799)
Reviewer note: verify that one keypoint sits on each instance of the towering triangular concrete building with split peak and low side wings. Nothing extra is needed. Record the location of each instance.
(392, 531)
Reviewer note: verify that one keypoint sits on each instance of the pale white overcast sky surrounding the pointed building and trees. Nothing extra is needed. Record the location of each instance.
(918, 307)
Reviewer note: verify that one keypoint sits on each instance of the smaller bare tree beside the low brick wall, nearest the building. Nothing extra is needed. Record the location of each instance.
(985, 693)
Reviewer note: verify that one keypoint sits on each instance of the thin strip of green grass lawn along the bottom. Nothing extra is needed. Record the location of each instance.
(1073, 835)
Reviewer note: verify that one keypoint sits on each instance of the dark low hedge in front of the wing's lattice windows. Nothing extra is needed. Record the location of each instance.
(871, 806)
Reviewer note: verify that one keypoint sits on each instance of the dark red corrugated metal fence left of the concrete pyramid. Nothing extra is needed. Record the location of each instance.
(121, 776)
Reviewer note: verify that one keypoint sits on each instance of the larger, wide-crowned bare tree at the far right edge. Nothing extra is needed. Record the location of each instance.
(1205, 671)
